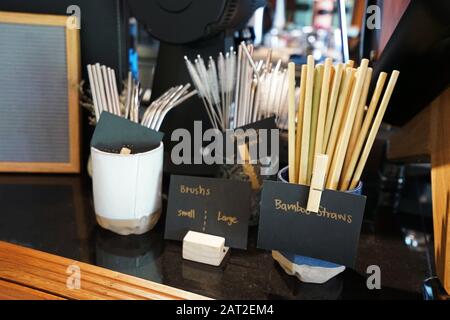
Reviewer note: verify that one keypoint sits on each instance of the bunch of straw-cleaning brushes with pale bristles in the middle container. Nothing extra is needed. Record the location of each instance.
(236, 90)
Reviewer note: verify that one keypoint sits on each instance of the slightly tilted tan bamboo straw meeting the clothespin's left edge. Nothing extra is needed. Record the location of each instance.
(318, 77)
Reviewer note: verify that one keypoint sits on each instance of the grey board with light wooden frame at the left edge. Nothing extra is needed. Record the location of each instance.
(39, 105)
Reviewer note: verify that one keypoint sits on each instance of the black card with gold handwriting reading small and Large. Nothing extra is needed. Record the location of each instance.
(214, 206)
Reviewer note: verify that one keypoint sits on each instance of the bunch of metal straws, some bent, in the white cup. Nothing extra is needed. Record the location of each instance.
(105, 97)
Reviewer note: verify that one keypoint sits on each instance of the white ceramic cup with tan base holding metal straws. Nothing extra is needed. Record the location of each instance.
(127, 190)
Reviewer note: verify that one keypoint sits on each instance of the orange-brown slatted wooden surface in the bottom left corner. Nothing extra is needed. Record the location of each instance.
(30, 274)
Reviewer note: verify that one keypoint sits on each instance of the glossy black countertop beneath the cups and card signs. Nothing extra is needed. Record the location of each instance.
(55, 214)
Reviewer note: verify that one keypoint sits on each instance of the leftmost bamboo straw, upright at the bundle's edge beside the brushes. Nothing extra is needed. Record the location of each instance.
(291, 125)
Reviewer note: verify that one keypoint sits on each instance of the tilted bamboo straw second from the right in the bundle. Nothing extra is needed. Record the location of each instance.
(363, 133)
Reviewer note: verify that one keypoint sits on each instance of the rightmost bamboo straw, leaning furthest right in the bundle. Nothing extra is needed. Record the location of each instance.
(375, 127)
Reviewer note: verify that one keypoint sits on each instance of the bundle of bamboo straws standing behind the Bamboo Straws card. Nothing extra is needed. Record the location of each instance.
(334, 119)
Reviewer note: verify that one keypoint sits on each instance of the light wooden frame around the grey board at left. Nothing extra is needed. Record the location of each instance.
(73, 80)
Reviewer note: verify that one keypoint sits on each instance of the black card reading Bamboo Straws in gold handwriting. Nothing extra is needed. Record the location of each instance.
(332, 234)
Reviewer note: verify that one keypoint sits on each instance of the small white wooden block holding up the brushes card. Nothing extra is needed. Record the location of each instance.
(204, 248)
